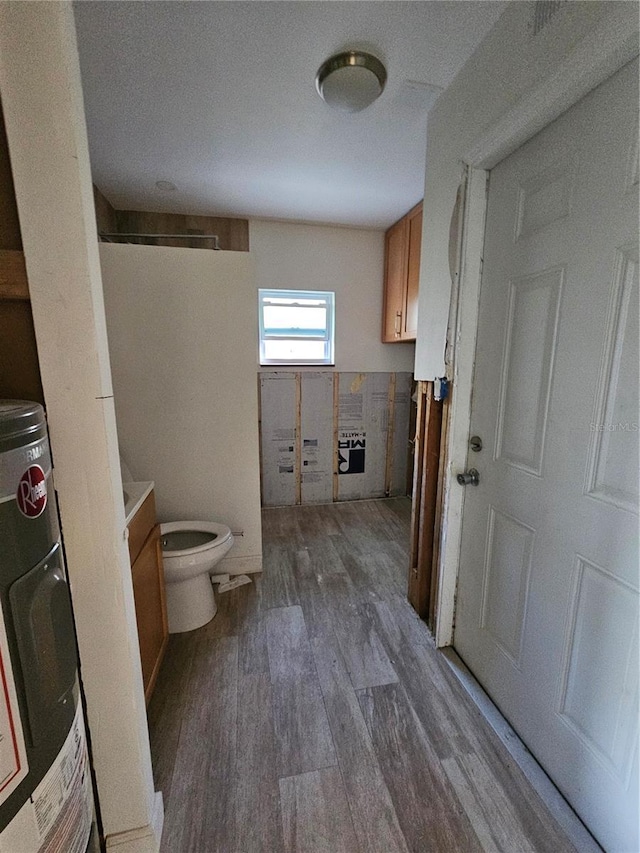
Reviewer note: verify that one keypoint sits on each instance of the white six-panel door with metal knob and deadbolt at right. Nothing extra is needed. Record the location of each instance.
(547, 613)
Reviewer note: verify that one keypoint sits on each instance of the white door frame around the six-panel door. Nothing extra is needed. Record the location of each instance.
(610, 46)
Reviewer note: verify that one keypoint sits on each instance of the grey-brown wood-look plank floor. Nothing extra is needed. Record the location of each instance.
(313, 714)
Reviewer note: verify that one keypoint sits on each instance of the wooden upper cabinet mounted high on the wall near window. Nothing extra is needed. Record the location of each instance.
(401, 278)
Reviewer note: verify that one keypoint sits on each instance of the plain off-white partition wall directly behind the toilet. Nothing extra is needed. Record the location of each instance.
(182, 326)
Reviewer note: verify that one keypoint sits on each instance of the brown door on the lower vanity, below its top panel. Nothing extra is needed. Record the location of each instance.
(151, 612)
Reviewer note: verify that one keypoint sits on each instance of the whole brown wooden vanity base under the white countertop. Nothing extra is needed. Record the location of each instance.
(147, 575)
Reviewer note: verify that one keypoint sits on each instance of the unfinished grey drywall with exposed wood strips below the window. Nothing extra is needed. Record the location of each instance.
(333, 436)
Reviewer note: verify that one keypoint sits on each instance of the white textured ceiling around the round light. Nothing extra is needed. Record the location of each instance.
(219, 98)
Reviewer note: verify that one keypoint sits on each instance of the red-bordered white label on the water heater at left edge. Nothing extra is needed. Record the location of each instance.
(13, 756)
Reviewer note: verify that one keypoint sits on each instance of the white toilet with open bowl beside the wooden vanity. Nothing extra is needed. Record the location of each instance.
(190, 550)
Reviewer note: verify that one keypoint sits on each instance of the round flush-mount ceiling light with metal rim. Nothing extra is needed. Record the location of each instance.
(351, 81)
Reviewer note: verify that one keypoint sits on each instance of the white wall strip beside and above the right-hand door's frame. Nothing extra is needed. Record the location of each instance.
(509, 63)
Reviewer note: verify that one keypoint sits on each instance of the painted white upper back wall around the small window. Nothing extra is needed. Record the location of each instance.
(349, 261)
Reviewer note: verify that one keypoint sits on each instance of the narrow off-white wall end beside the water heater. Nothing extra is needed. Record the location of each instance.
(42, 102)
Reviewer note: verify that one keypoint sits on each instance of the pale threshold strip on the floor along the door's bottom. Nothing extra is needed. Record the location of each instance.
(577, 832)
